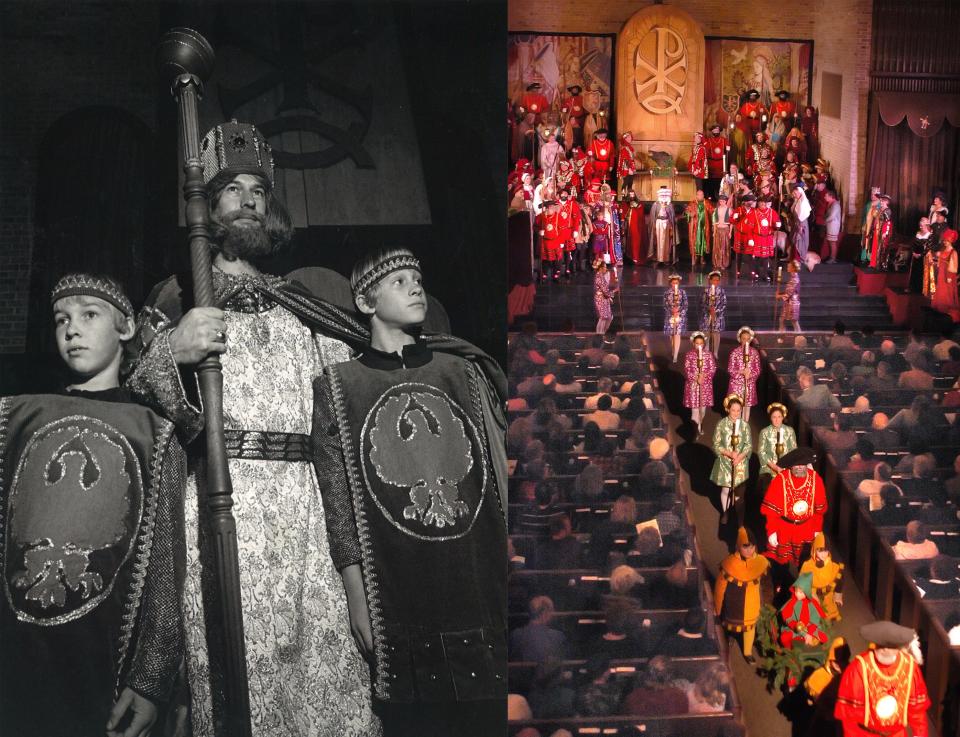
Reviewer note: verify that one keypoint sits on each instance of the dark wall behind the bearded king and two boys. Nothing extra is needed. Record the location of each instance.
(89, 167)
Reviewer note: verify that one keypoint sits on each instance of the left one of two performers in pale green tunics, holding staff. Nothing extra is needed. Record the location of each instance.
(732, 444)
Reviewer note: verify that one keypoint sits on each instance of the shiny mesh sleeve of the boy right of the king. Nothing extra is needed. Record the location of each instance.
(331, 471)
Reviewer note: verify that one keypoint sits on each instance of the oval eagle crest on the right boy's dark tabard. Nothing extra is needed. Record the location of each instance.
(423, 462)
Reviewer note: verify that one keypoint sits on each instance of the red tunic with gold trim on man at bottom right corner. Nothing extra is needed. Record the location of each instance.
(897, 691)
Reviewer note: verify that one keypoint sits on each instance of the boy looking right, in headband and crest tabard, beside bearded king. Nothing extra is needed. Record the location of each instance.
(408, 447)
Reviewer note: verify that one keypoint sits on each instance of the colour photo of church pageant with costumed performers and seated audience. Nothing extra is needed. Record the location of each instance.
(733, 441)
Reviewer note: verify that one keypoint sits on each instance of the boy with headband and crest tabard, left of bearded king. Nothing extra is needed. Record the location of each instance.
(91, 495)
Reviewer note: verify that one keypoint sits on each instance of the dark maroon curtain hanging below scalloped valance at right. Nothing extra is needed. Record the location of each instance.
(910, 168)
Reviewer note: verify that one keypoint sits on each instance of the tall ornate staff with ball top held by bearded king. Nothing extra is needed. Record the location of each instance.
(186, 59)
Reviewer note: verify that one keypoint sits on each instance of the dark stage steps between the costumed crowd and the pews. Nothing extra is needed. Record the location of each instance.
(827, 294)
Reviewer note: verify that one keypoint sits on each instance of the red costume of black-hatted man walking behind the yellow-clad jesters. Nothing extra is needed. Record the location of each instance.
(793, 507)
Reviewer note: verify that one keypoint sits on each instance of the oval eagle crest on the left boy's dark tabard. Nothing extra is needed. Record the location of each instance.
(74, 506)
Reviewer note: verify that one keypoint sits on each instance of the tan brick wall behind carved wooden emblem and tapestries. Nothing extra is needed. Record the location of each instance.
(840, 30)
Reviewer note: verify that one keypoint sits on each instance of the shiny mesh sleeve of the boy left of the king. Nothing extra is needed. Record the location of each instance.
(160, 645)
